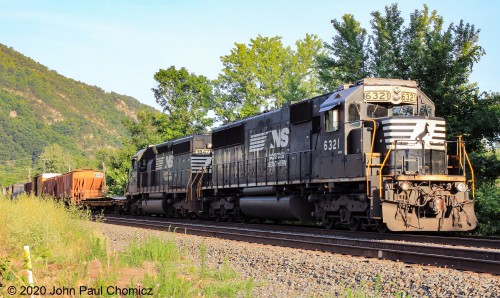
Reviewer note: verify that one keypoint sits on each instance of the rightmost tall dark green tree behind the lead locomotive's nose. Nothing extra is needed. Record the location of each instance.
(445, 59)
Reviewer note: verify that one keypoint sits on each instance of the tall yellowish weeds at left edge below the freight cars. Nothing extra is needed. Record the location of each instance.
(53, 232)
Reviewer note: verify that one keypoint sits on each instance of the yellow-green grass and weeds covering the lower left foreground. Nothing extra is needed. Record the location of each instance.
(66, 250)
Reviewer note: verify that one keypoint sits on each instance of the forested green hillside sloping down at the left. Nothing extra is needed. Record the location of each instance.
(41, 109)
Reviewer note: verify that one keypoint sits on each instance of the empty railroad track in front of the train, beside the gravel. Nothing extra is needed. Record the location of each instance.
(462, 258)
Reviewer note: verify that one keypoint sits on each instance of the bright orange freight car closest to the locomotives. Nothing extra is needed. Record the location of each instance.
(79, 186)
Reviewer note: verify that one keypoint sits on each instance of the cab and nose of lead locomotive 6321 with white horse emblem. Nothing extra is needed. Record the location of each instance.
(416, 180)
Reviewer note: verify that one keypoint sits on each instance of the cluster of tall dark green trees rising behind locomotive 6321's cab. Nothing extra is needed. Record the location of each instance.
(440, 60)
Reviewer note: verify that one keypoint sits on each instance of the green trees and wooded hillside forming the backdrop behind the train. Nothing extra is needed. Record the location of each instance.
(48, 121)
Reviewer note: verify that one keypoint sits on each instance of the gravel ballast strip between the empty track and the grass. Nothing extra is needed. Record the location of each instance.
(287, 272)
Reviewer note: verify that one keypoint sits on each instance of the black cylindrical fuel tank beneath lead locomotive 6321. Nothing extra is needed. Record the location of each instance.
(277, 208)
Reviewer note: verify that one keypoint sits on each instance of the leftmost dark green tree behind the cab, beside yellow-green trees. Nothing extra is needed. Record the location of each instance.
(347, 58)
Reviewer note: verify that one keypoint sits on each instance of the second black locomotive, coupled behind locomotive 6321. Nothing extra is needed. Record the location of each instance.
(167, 178)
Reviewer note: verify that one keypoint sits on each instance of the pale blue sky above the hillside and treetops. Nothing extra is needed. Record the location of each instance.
(119, 45)
